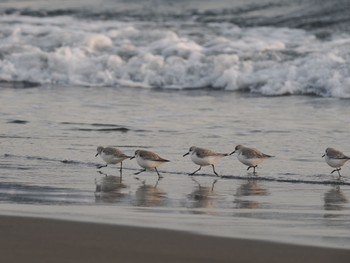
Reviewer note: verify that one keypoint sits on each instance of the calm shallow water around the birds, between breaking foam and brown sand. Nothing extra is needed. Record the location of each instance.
(49, 136)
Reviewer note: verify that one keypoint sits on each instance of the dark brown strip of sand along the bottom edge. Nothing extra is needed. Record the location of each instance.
(46, 240)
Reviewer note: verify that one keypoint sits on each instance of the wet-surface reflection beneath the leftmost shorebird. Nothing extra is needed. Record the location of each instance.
(109, 189)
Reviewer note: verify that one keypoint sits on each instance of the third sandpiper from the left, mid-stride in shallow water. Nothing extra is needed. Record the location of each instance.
(204, 157)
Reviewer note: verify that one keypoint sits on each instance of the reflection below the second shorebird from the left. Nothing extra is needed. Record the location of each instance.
(150, 195)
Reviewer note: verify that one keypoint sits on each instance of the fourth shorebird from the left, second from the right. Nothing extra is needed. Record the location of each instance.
(250, 156)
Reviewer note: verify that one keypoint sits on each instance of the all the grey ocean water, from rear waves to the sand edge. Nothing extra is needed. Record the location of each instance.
(164, 76)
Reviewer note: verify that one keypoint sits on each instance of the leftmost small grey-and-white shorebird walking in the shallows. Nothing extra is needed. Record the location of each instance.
(111, 155)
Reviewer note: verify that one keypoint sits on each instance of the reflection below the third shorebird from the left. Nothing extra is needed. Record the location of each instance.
(203, 196)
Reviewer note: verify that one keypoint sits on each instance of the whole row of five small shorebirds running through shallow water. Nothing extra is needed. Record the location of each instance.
(251, 157)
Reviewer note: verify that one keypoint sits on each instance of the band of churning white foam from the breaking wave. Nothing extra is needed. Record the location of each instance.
(263, 60)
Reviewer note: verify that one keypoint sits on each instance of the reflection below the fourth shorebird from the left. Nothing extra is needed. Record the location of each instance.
(250, 188)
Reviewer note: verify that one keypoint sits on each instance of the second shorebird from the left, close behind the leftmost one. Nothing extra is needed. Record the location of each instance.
(148, 160)
